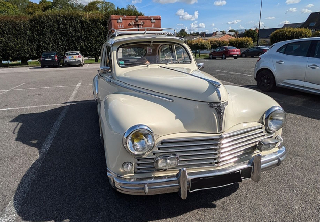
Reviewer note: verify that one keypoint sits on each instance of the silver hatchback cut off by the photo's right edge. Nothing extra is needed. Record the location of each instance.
(293, 64)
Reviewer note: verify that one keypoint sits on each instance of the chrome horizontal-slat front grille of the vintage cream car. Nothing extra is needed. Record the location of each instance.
(206, 151)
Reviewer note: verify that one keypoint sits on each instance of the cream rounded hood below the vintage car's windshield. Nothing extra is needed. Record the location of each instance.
(178, 82)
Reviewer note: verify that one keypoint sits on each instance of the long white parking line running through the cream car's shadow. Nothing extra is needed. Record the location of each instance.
(10, 212)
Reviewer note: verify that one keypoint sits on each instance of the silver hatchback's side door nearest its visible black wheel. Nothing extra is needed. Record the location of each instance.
(290, 63)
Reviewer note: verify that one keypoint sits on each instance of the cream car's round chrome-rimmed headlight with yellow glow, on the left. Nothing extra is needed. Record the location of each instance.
(138, 140)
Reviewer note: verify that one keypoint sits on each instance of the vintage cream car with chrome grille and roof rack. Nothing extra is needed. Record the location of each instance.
(169, 127)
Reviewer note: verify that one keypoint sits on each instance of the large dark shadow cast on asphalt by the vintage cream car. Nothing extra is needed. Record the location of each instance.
(69, 182)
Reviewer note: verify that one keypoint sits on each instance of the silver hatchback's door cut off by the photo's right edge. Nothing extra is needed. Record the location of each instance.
(313, 67)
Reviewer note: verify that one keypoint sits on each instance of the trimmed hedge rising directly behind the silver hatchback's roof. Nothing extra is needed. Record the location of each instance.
(289, 33)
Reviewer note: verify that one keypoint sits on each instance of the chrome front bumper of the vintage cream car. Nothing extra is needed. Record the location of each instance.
(182, 182)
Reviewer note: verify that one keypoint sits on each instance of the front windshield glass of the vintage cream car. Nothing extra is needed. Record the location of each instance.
(146, 53)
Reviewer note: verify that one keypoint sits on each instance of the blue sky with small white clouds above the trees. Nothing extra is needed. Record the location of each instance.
(218, 15)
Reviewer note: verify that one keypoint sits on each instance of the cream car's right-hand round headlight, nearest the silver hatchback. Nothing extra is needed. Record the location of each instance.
(274, 119)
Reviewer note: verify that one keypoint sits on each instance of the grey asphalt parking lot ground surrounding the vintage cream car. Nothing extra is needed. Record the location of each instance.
(52, 165)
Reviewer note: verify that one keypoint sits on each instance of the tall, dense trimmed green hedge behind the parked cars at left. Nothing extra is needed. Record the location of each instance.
(24, 37)
